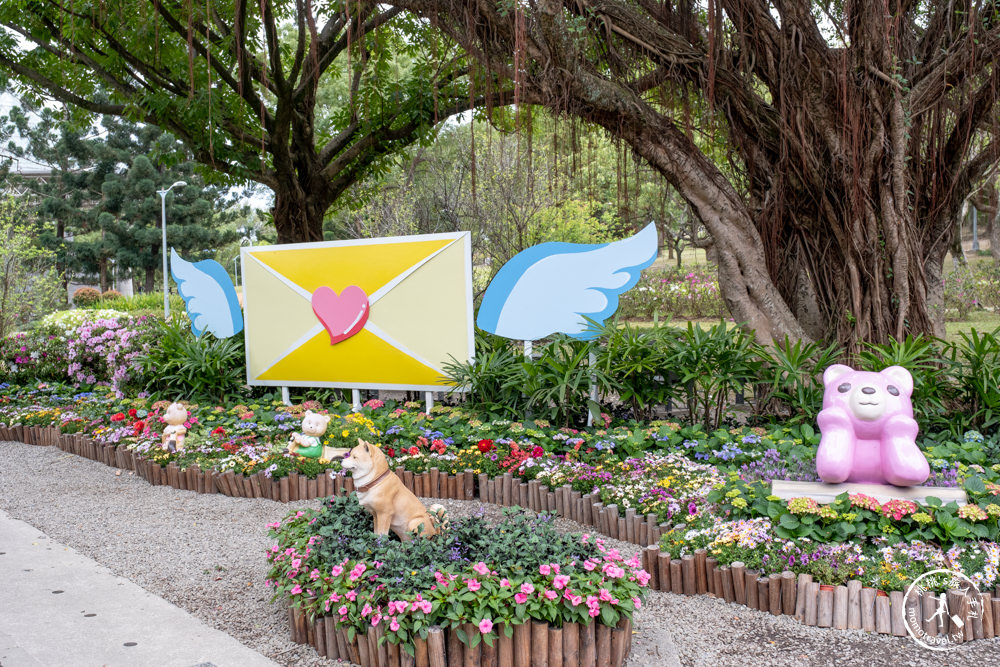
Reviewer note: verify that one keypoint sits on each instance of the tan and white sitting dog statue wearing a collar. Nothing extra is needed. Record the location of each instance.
(382, 493)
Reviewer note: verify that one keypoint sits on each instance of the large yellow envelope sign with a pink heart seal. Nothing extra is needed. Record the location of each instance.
(308, 322)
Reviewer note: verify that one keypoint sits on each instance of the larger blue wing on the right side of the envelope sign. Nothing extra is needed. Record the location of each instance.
(552, 287)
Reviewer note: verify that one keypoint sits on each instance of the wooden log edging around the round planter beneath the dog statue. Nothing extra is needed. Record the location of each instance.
(532, 643)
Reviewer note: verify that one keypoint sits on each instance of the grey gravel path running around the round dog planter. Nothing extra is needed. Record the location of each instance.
(204, 553)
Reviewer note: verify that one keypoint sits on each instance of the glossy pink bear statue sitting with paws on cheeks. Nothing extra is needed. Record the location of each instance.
(867, 427)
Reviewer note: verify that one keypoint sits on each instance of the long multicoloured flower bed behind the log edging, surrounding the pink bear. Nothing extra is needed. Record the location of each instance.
(636, 482)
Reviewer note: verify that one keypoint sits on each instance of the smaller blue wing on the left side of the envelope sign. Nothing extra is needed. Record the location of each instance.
(209, 295)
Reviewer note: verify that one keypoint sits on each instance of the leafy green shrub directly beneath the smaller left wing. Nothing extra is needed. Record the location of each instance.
(197, 369)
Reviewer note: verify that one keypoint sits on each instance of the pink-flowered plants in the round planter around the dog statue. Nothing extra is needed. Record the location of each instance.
(328, 562)
